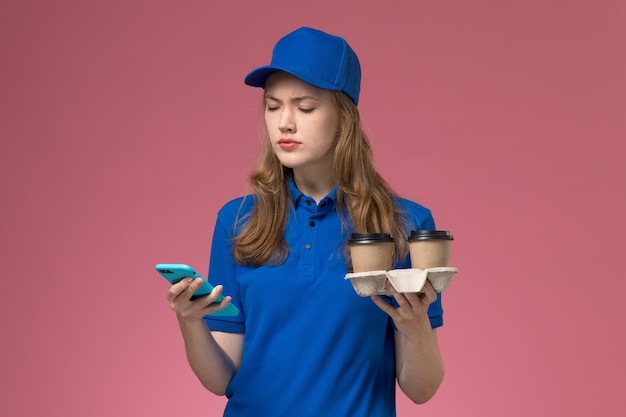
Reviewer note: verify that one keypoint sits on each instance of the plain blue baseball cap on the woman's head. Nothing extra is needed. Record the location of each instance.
(325, 61)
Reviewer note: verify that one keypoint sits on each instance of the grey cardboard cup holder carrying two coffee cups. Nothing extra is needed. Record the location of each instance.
(403, 280)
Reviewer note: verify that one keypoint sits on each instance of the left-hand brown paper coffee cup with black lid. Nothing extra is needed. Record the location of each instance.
(371, 251)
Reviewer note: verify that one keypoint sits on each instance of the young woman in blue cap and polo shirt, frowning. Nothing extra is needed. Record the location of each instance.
(304, 343)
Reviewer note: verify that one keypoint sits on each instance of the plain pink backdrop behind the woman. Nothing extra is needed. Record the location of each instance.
(125, 125)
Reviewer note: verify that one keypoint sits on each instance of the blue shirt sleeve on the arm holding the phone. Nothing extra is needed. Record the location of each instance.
(223, 271)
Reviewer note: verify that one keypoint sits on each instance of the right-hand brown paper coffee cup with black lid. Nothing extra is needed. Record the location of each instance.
(430, 248)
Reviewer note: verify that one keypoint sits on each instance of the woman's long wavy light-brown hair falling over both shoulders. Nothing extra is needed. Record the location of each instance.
(362, 195)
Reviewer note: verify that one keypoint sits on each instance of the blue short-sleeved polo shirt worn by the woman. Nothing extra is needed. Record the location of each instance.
(312, 346)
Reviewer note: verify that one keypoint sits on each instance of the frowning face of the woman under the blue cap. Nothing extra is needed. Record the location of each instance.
(302, 123)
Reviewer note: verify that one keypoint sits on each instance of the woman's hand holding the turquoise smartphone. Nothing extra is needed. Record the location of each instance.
(179, 296)
